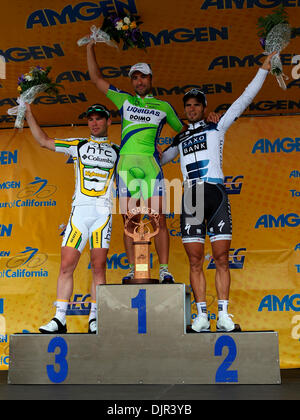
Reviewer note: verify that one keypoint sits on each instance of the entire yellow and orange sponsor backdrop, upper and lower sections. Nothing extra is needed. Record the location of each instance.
(211, 44)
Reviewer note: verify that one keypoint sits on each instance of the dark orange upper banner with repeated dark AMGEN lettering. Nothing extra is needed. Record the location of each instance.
(211, 44)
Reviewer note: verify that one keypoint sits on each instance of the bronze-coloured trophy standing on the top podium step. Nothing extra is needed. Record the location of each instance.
(142, 236)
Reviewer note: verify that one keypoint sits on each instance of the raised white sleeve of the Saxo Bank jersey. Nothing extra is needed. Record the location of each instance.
(239, 106)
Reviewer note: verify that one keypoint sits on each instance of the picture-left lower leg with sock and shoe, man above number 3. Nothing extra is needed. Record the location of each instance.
(69, 261)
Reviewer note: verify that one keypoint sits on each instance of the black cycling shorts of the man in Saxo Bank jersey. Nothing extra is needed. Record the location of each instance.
(205, 210)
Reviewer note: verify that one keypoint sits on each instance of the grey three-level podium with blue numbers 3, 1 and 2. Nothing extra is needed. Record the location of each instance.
(142, 338)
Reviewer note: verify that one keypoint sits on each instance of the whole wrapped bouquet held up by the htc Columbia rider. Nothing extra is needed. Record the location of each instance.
(29, 86)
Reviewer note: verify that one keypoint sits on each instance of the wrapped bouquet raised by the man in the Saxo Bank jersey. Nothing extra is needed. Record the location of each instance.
(275, 34)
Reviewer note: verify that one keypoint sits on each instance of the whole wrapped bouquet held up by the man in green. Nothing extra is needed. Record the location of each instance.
(115, 29)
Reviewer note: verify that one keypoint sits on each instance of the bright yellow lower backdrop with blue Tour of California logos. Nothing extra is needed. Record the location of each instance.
(262, 174)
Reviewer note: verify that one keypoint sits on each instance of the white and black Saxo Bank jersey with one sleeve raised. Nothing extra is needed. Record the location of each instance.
(201, 146)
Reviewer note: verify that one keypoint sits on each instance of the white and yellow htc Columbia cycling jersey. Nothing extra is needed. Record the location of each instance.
(95, 161)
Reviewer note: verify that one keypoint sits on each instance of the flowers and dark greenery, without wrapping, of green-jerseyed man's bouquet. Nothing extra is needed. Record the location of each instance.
(126, 29)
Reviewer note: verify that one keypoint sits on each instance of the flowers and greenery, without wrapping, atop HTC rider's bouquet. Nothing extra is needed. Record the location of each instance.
(38, 76)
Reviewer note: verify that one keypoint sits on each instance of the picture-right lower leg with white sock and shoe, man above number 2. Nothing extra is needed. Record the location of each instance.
(220, 251)
